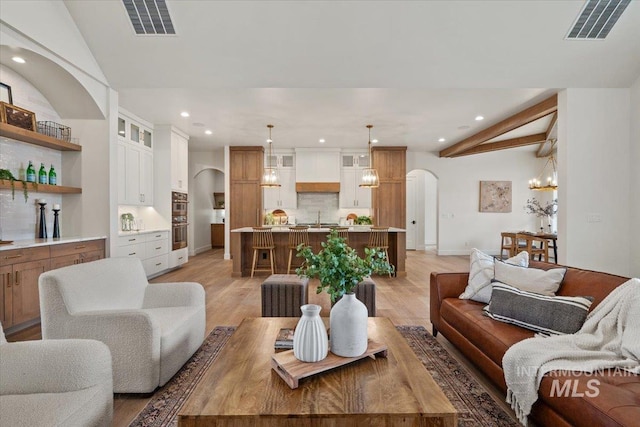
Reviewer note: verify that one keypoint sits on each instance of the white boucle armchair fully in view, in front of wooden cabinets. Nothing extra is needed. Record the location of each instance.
(151, 329)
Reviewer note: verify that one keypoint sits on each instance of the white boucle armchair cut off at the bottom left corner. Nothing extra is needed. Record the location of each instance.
(55, 383)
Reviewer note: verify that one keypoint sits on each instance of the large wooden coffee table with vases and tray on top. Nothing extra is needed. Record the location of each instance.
(241, 389)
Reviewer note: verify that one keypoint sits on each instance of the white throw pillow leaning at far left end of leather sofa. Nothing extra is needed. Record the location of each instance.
(481, 274)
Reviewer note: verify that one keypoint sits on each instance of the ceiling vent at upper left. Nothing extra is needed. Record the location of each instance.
(149, 17)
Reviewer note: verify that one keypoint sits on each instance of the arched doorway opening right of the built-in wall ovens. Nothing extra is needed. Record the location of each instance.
(205, 208)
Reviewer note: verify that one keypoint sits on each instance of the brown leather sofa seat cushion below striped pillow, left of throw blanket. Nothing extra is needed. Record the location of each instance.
(493, 338)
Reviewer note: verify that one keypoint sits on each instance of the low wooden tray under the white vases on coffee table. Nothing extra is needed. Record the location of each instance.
(291, 370)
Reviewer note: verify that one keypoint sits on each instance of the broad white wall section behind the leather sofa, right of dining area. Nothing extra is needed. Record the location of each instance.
(594, 162)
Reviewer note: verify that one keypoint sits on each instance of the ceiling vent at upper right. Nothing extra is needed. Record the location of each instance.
(596, 19)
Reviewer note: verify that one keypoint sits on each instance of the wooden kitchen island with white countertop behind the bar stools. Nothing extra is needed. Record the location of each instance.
(242, 240)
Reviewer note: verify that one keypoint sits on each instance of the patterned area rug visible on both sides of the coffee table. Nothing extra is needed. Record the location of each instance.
(474, 405)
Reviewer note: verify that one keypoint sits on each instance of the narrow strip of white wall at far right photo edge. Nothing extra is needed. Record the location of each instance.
(635, 179)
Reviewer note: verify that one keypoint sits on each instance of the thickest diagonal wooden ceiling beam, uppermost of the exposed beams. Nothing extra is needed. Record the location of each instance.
(546, 107)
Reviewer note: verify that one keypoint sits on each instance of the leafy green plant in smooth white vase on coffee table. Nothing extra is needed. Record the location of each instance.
(340, 269)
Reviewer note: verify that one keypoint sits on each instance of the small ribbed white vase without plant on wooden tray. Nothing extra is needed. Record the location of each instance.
(310, 341)
